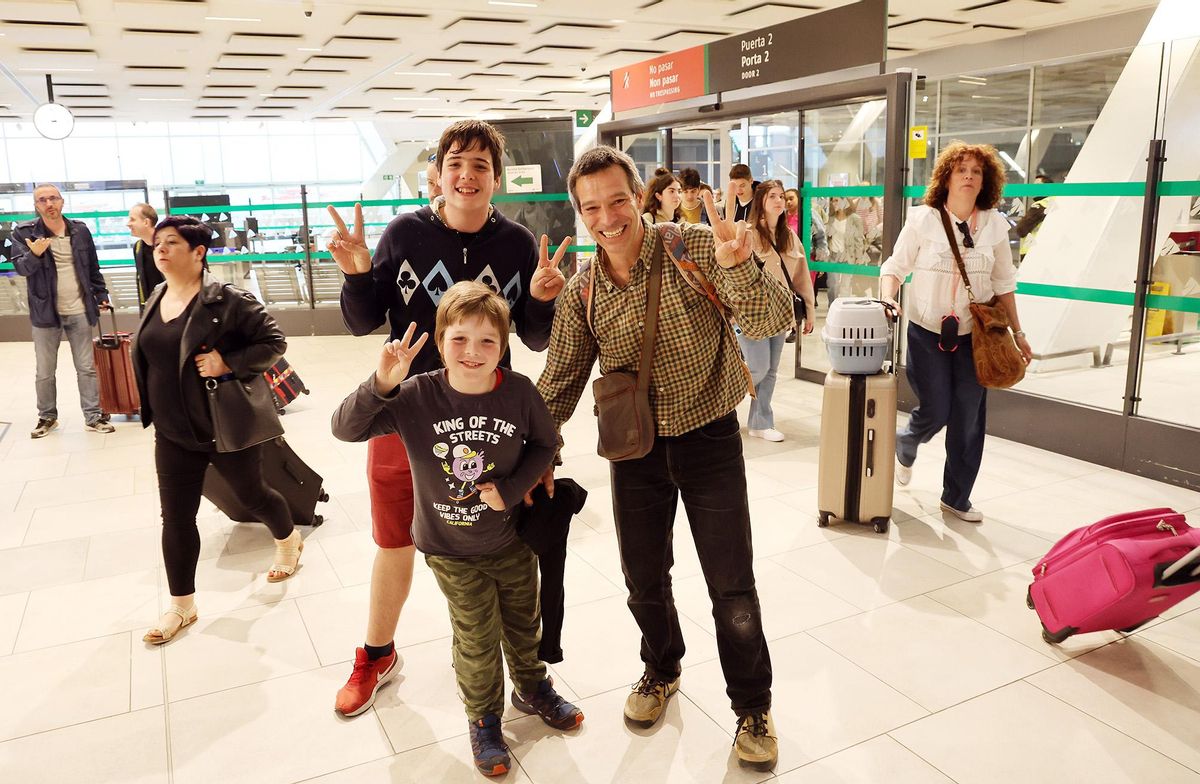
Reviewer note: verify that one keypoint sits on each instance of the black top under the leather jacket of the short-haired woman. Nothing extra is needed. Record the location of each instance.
(179, 405)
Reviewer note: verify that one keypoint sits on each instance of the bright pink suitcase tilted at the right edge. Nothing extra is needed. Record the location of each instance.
(1118, 574)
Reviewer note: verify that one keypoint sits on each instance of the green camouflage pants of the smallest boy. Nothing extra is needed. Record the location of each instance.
(494, 603)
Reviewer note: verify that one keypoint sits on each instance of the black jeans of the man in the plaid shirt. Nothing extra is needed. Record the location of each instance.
(705, 468)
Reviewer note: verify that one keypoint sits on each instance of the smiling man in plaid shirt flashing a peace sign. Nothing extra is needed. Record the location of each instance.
(697, 381)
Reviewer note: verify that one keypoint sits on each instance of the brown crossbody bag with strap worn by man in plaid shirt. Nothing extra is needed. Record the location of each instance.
(625, 418)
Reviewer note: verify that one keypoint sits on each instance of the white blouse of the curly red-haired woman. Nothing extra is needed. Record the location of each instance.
(937, 290)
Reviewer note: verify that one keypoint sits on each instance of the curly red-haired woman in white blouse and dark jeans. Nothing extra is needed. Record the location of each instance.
(968, 182)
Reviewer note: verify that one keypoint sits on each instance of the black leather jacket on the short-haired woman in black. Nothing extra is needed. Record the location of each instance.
(227, 319)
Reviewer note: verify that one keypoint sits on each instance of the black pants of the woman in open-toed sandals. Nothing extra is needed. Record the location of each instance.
(181, 482)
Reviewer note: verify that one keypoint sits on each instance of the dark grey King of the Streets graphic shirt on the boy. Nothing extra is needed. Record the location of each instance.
(506, 436)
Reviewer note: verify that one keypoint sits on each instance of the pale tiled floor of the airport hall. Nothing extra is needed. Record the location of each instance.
(907, 659)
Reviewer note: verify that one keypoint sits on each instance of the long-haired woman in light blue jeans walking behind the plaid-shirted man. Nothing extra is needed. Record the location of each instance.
(783, 258)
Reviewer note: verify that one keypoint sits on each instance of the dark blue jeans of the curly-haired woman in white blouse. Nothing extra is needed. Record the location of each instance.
(949, 396)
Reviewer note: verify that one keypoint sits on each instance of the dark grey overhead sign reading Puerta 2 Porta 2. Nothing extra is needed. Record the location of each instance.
(820, 43)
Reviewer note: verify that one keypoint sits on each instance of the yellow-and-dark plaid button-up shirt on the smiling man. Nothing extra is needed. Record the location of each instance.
(698, 374)
